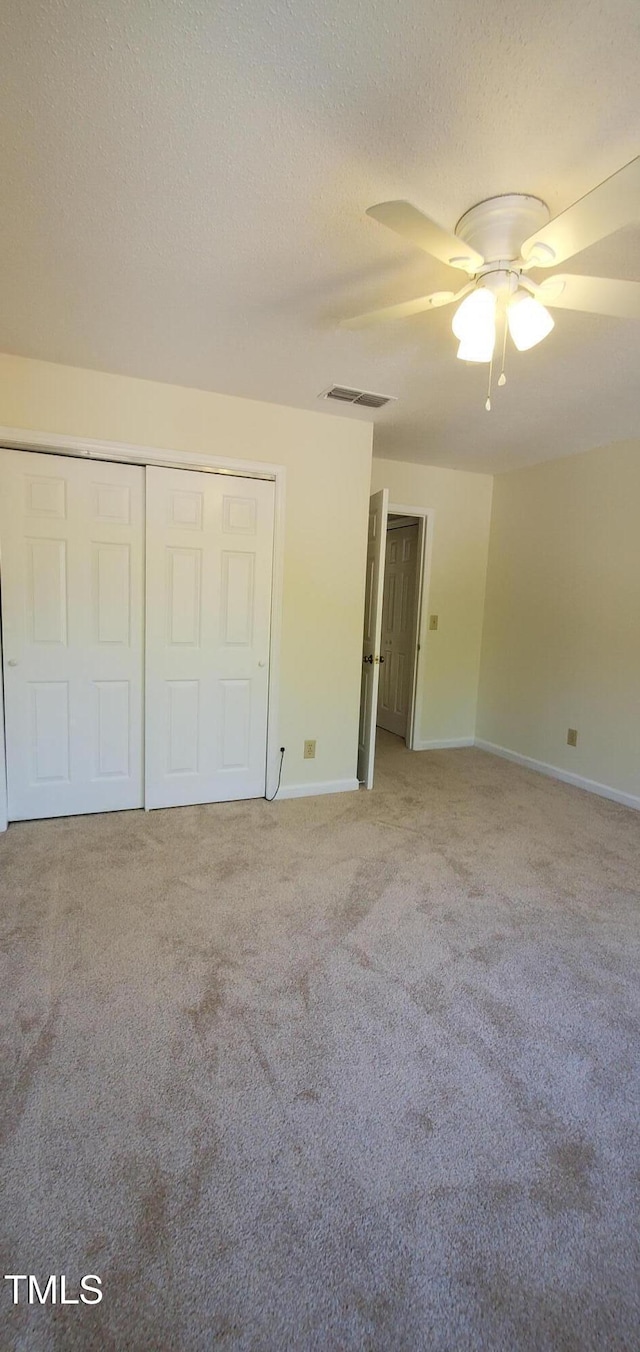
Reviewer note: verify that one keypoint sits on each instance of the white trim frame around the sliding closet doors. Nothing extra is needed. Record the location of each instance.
(129, 454)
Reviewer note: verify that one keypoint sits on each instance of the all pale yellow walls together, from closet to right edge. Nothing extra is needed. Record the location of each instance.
(562, 610)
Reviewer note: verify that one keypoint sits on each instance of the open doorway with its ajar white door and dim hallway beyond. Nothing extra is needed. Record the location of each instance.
(394, 621)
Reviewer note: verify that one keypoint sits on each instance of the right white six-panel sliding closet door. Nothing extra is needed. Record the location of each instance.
(209, 567)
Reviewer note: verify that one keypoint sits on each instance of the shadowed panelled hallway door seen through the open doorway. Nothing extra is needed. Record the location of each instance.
(398, 629)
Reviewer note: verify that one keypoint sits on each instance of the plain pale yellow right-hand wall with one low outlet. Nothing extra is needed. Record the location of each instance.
(562, 629)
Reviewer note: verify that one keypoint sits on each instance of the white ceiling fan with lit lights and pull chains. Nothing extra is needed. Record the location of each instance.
(497, 244)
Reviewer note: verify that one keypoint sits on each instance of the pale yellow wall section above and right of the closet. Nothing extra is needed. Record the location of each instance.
(328, 464)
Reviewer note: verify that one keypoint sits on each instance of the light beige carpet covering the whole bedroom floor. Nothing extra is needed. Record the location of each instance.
(351, 1073)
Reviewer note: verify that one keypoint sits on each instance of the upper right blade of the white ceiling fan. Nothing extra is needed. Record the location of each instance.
(614, 205)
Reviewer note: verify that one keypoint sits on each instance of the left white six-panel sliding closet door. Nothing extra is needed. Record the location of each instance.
(72, 536)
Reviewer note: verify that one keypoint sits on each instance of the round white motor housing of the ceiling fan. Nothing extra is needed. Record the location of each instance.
(499, 226)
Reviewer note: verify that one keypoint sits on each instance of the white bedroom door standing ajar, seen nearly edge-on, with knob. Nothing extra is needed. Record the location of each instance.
(371, 639)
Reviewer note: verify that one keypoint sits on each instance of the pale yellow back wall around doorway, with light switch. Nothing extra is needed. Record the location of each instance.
(451, 659)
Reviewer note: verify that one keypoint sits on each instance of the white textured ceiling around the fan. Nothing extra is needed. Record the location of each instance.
(185, 183)
